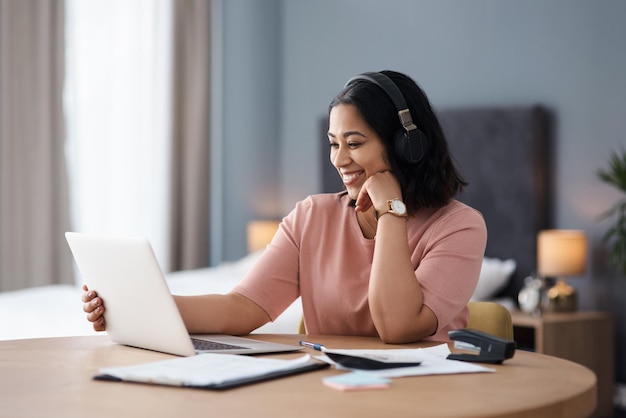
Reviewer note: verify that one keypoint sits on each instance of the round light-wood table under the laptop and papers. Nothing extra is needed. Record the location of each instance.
(52, 377)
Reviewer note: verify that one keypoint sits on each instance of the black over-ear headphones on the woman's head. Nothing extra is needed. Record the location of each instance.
(409, 142)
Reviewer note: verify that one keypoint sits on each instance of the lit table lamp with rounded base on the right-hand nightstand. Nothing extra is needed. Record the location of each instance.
(561, 253)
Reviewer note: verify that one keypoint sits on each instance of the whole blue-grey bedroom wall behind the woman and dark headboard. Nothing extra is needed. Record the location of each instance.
(284, 60)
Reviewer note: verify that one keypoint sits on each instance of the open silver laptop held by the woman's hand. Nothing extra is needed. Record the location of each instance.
(140, 310)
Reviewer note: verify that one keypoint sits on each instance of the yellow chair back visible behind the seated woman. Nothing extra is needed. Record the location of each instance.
(489, 317)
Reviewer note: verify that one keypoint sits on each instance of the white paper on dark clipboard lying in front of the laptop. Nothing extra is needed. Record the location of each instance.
(210, 371)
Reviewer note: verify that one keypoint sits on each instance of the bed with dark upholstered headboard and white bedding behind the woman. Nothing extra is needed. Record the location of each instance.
(502, 151)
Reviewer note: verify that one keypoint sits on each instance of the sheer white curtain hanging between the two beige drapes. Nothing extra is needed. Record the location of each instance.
(118, 105)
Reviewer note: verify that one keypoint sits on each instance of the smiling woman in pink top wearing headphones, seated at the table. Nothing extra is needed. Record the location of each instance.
(393, 256)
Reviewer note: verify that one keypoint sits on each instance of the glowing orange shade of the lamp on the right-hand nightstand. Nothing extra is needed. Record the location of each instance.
(561, 252)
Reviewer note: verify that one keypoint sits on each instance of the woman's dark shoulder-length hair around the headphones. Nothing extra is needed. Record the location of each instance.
(435, 180)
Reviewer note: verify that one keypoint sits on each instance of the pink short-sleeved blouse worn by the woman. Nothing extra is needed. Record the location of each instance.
(320, 254)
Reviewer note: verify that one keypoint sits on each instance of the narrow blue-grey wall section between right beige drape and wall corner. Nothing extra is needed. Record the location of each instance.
(245, 122)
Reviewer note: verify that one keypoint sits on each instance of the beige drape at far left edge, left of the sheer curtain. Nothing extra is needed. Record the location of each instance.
(33, 181)
